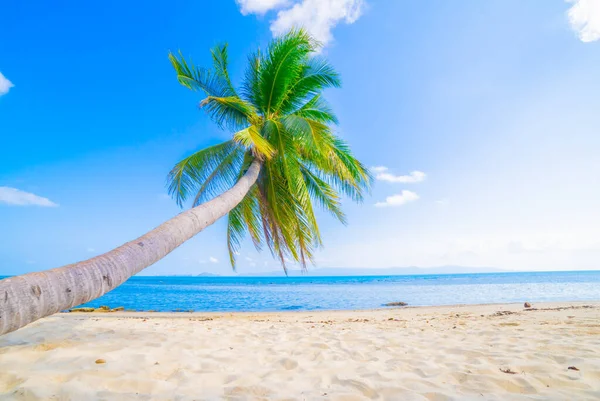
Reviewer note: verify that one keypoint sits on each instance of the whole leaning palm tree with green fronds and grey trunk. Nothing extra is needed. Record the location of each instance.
(282, 159)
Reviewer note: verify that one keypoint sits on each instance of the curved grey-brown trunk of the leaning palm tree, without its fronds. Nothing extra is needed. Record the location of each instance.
(26, 298)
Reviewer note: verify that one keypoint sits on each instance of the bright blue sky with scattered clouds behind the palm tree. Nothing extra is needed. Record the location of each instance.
(481, 118)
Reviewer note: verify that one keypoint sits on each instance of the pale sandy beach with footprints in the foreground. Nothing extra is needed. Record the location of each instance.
(429, 353)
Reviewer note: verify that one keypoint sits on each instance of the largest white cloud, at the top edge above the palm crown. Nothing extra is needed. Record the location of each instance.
(318, 17)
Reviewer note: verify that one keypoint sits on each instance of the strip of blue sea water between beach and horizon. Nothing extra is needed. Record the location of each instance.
(360, 292)
